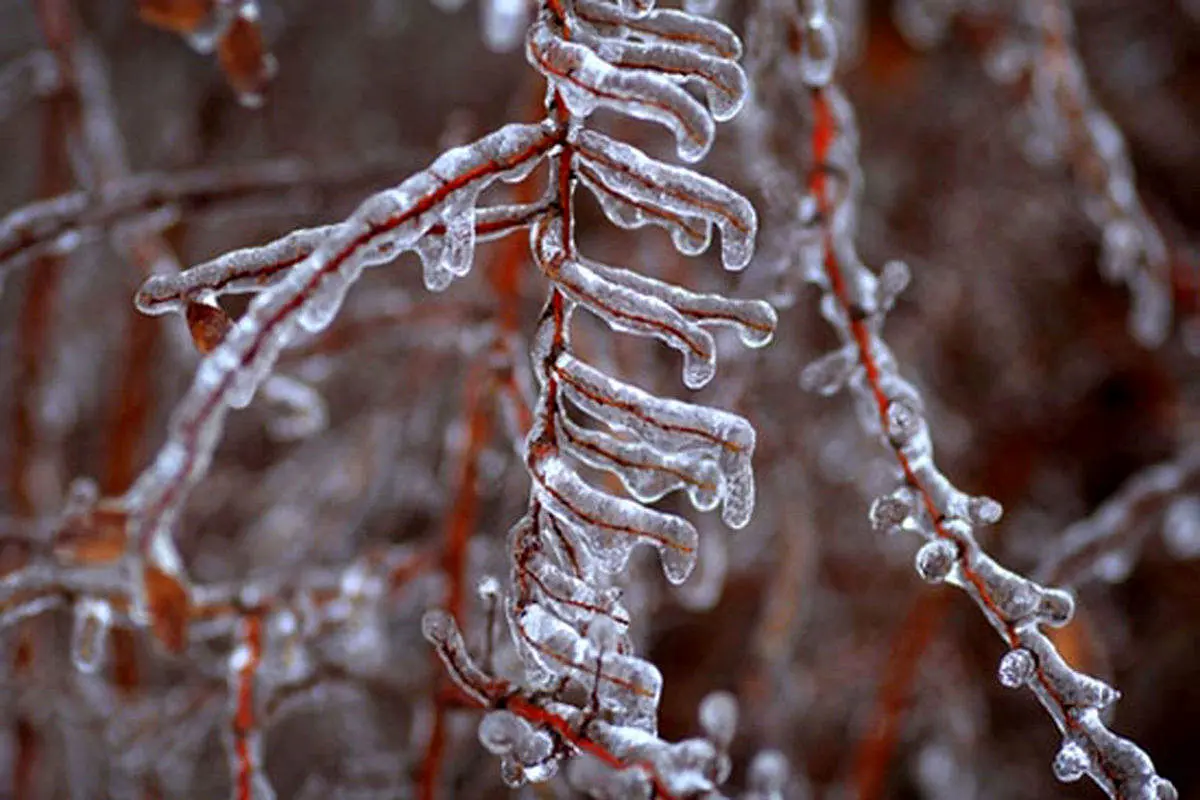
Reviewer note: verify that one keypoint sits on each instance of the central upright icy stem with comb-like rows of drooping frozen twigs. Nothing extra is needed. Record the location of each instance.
(584, 689)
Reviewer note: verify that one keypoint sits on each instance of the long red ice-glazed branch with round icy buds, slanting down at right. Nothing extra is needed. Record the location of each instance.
(856, 303)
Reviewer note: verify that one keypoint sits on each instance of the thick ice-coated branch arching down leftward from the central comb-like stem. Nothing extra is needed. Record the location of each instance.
(243, 356)
